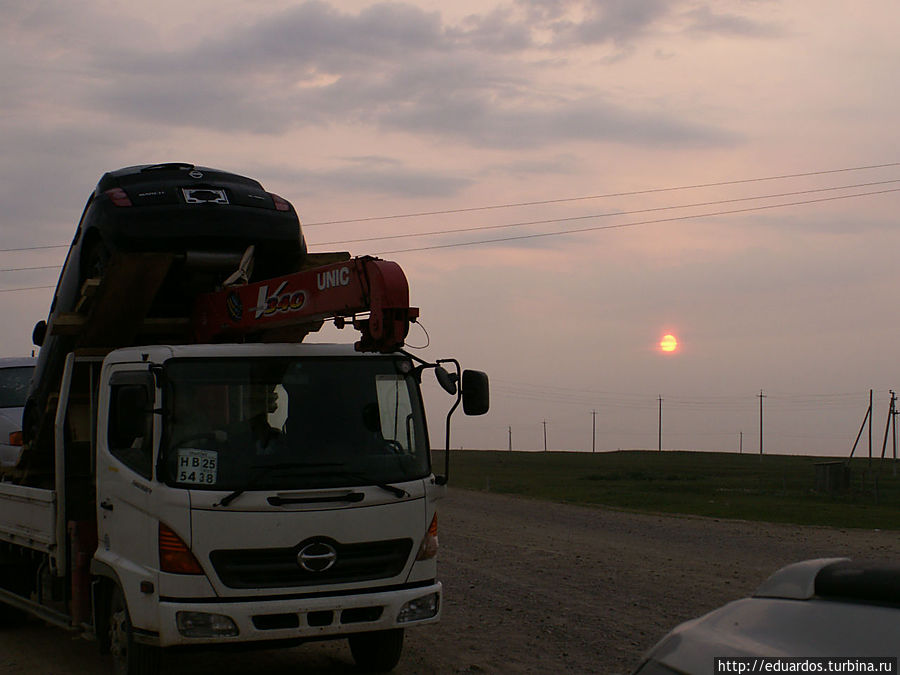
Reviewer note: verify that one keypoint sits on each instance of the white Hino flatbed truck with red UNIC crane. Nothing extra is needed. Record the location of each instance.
(216, 492)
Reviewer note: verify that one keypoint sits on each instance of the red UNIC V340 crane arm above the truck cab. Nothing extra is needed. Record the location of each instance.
(376, 289)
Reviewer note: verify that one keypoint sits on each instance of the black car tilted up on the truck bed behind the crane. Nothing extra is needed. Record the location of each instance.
(206, 217)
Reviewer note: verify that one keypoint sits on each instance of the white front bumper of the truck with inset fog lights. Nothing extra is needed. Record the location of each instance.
(293, 619)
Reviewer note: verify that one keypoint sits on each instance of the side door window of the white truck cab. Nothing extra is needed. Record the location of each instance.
(130, 429)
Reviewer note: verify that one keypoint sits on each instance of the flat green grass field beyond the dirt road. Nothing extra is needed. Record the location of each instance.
(771, 488)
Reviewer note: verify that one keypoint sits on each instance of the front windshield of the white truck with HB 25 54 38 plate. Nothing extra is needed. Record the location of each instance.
(291, 423)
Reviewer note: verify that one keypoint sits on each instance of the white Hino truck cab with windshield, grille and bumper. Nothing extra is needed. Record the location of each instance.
(228, 474)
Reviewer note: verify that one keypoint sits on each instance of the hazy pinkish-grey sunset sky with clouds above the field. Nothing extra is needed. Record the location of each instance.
(596, 173)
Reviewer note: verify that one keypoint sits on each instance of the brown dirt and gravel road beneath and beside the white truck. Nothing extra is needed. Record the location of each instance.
(531, 587)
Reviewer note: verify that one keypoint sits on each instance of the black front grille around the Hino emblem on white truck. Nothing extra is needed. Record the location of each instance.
(280, 568)
